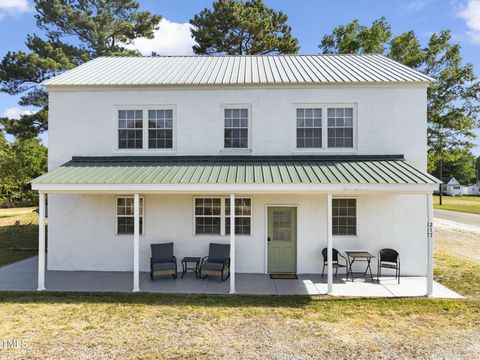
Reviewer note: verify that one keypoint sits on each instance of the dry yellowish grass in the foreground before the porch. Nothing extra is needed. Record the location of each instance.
(58, 325)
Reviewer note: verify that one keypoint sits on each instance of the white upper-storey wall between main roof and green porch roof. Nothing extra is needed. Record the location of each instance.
(391, 119)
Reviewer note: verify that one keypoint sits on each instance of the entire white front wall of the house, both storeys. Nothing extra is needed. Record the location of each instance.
(391, 120)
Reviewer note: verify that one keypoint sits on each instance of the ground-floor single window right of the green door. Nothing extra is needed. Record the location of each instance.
(344, 217)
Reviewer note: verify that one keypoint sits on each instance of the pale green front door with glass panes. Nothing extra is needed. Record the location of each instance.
(282, 239)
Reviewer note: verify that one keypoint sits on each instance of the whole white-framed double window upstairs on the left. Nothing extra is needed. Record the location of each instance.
(146, 128)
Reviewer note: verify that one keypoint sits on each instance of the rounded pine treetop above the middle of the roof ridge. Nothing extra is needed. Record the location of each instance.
(235, 27)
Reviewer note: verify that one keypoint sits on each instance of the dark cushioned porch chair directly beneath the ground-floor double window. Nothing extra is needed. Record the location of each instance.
(217, 263)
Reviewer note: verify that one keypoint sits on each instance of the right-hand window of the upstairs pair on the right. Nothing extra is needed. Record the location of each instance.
(340, 127)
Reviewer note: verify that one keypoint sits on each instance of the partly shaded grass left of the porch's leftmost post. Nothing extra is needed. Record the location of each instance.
(18, 242)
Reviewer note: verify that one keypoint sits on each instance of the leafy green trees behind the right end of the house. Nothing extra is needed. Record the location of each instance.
(453, 99)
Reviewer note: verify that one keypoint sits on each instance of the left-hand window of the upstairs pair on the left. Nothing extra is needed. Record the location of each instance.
(130, 129)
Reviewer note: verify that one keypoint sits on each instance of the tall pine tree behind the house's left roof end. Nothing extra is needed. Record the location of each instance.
(73, 31)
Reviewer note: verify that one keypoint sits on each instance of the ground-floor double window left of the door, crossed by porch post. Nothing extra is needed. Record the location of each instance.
(212, 216)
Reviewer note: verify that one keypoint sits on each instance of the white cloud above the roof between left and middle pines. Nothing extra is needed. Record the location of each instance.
(170, 39)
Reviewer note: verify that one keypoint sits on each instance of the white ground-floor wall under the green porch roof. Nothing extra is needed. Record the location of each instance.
(82, 231)
